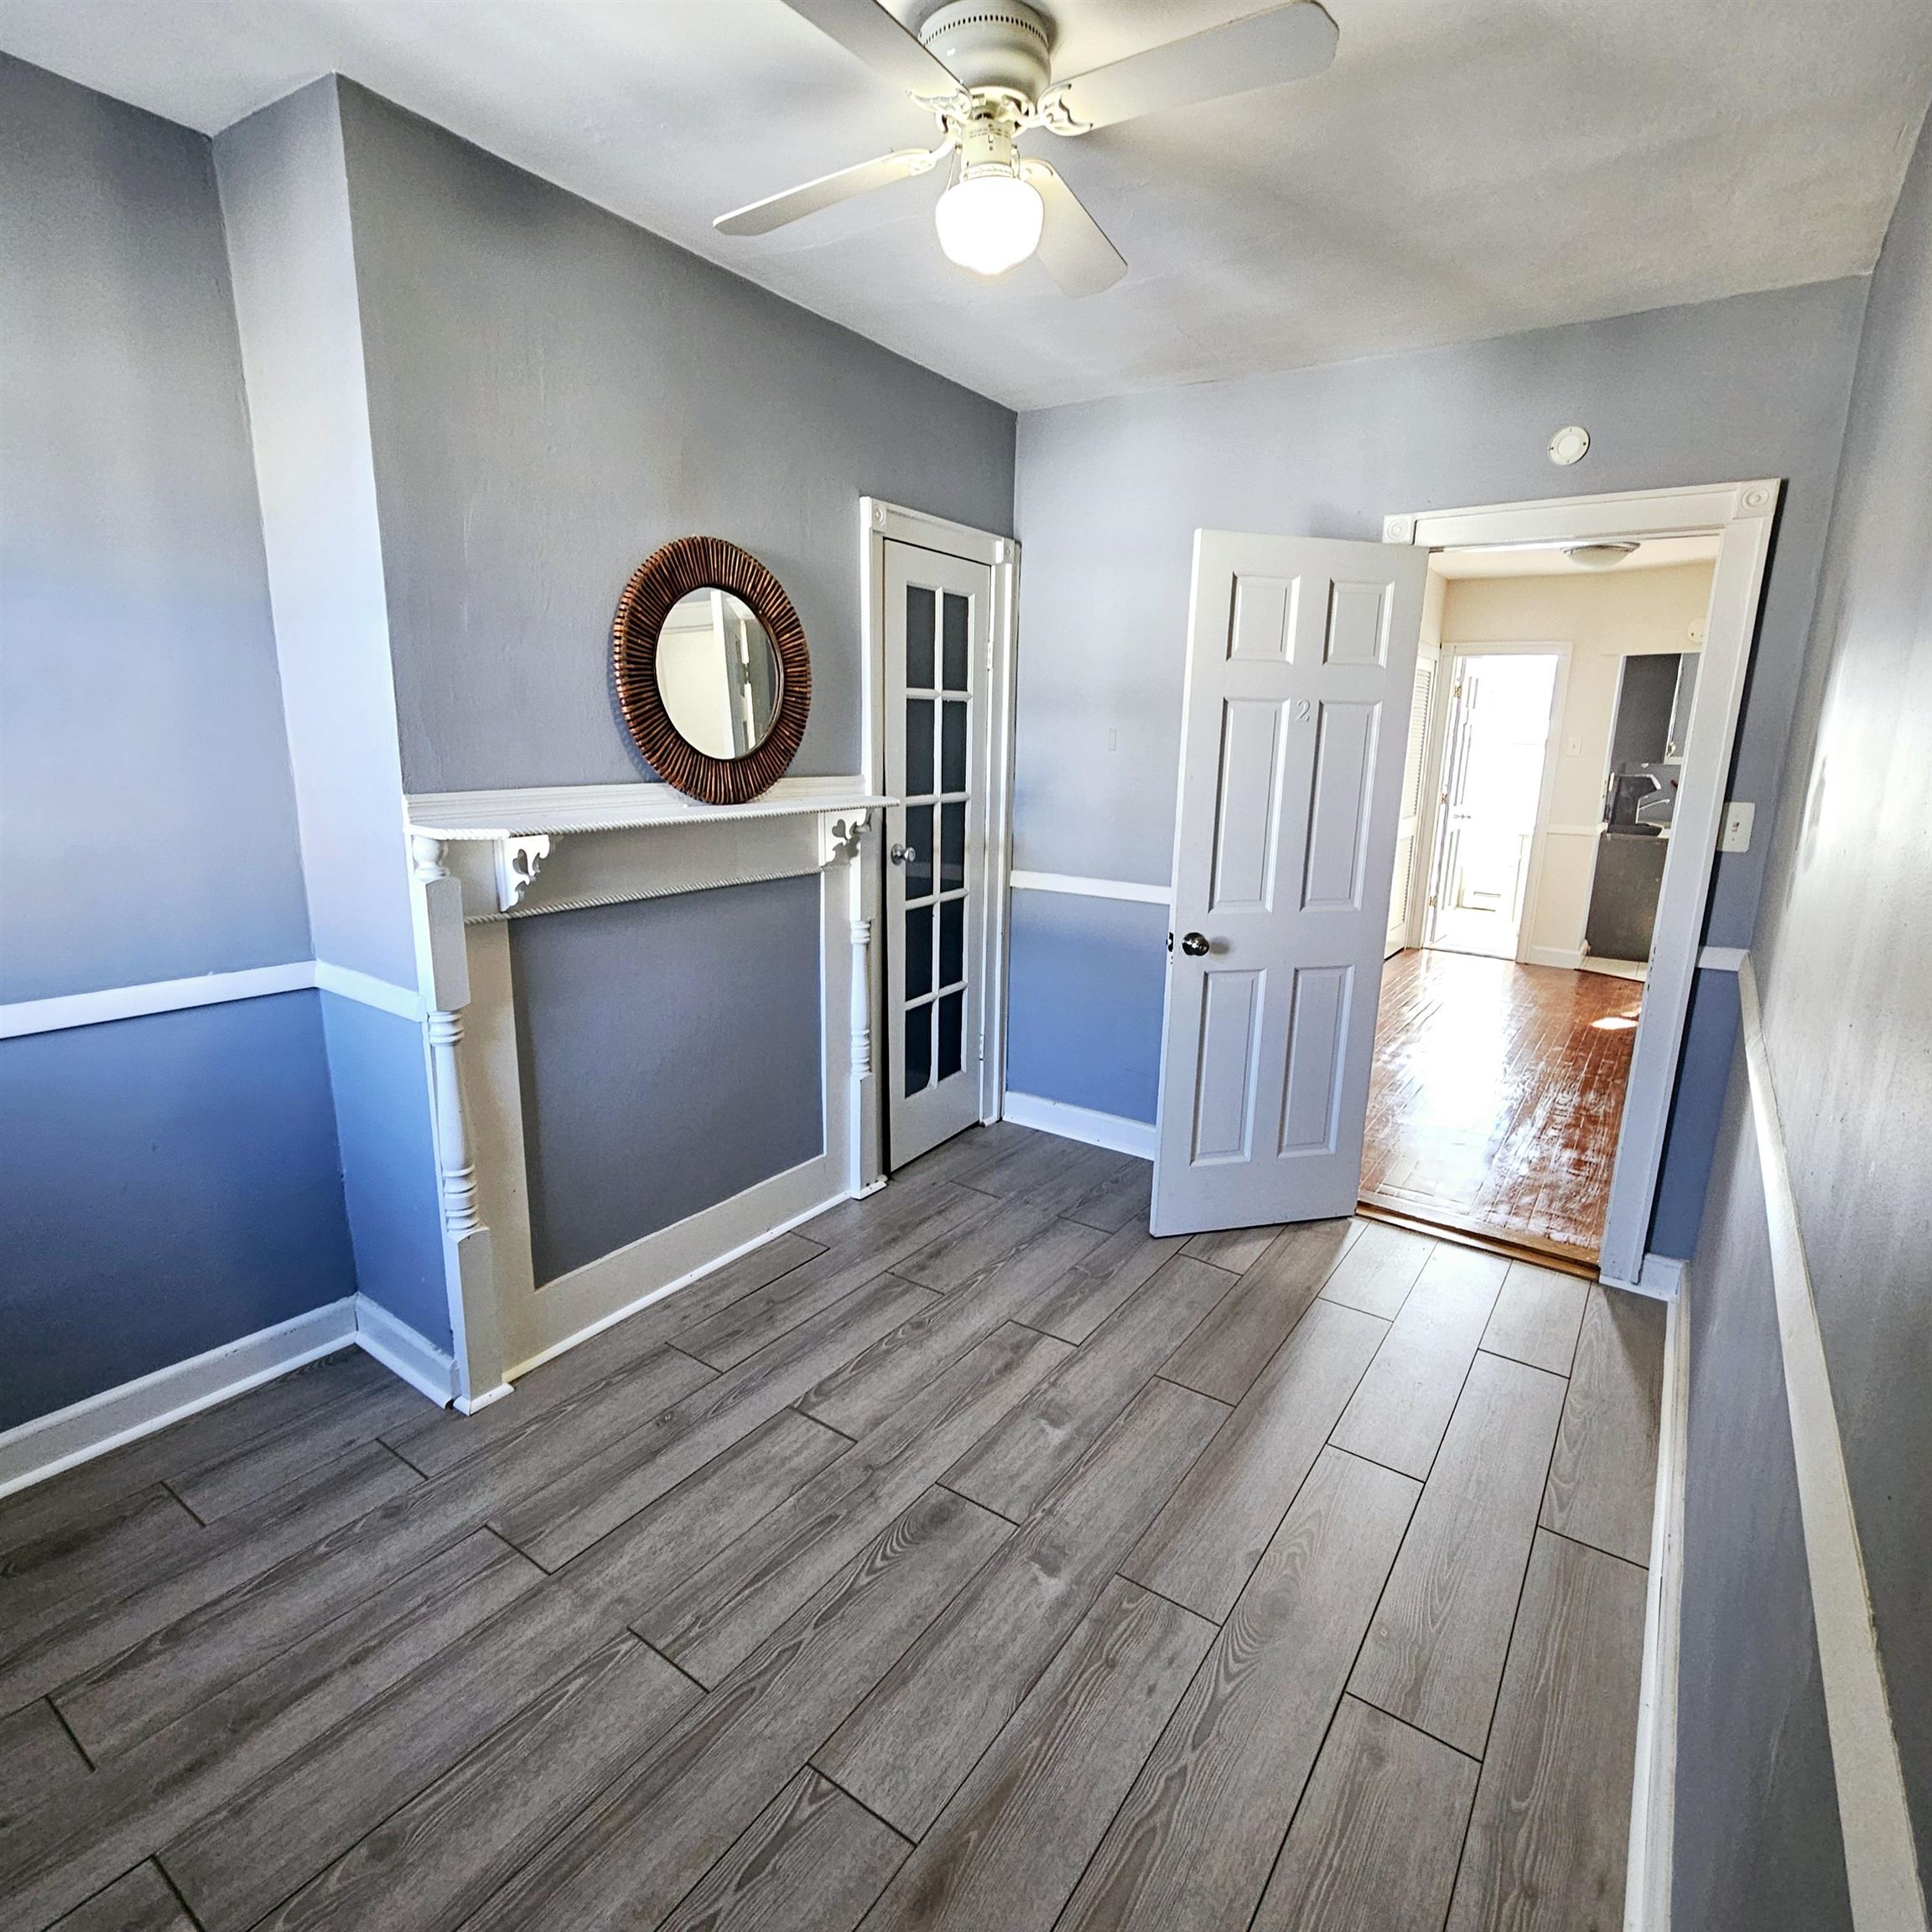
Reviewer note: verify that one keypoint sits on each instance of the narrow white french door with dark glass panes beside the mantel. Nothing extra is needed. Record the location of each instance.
(938, 611)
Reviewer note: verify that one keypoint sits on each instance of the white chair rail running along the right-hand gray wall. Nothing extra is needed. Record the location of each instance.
(1881, 1858)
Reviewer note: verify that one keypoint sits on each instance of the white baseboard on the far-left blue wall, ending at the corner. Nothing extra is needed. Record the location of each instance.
(88, 1429)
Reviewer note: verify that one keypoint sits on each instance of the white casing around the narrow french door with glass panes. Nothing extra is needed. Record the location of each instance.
(888, 523)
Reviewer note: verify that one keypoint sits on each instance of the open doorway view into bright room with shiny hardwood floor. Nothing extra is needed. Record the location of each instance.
(1545, 760)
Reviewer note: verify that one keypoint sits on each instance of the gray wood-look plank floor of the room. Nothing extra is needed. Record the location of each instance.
(967, 1558)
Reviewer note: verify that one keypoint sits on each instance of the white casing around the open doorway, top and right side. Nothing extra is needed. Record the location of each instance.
(1742, 517)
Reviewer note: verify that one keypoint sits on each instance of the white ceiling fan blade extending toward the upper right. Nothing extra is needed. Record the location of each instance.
(1288, 43)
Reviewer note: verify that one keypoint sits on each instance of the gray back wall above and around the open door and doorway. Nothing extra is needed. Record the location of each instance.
(1110, 496)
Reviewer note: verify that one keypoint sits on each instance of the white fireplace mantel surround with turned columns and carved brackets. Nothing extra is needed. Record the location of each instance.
(484, 861)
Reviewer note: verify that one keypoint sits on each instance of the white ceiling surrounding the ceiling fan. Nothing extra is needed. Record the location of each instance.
(1465, 169)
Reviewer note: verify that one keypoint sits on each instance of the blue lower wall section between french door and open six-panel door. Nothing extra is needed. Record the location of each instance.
(1085, 994)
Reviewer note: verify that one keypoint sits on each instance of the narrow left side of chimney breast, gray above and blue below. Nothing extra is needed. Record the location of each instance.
(287, 208)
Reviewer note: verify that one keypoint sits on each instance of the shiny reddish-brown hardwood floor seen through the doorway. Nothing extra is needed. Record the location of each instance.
(1496, 1098)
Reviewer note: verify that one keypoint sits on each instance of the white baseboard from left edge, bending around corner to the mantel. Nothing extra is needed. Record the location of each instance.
(45, 1446)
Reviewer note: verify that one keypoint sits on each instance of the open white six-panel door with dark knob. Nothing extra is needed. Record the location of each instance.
(1299, 685)
